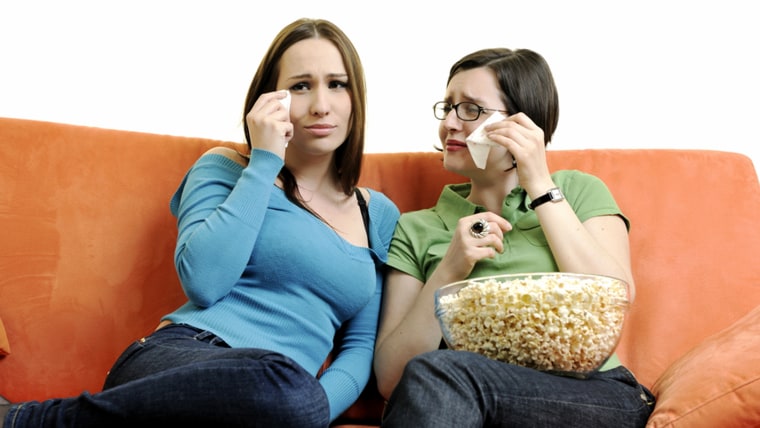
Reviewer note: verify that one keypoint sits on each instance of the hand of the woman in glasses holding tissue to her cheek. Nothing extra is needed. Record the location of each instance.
(525, 141)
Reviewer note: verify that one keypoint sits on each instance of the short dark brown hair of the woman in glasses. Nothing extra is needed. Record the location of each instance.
(525, 80)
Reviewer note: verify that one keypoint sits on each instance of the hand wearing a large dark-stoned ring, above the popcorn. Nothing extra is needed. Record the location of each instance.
(465, 249)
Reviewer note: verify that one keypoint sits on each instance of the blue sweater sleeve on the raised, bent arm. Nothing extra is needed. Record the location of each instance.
(220, 206)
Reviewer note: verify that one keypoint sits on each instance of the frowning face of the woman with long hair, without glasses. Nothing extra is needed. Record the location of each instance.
(320, 107)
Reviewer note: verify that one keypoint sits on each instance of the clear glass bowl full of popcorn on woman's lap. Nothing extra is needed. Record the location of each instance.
(563, 323)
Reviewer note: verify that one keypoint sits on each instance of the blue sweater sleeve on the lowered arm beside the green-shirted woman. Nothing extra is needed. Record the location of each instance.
(349, 373)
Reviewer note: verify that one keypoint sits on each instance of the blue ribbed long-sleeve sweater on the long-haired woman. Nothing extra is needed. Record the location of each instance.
(261, 272)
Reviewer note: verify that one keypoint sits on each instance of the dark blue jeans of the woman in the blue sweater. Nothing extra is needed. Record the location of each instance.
(181, 376)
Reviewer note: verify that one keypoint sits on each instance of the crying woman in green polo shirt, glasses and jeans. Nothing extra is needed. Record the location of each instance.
(513, 216)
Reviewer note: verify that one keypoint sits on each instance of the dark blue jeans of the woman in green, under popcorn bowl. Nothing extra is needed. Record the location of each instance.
(462, 389)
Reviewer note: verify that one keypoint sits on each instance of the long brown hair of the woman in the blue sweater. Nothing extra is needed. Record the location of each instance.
(348, 156)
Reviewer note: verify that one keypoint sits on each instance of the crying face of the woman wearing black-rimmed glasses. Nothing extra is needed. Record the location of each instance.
(479, 86)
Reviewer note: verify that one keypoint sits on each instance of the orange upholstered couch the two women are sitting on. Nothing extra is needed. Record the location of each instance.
(87, 243)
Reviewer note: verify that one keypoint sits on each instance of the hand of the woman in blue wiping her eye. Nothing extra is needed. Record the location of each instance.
(269, 126)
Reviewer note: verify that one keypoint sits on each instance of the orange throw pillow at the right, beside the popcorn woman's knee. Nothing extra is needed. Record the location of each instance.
(716, 384)
